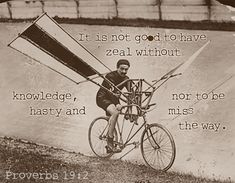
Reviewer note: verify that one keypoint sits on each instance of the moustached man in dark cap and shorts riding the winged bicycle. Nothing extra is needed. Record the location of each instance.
(110, 102)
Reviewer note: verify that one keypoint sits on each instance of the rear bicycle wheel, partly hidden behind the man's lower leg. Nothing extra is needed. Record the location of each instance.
(97, 136)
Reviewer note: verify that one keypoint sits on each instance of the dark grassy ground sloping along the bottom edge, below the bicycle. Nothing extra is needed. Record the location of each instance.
(29, 162)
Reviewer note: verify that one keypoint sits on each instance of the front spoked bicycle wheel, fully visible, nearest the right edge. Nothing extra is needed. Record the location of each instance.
(158, 147)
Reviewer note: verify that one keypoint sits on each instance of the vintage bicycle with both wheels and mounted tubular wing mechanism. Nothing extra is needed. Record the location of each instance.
(156, 143)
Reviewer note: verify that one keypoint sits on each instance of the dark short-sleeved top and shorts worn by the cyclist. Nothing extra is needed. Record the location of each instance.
(105, 98)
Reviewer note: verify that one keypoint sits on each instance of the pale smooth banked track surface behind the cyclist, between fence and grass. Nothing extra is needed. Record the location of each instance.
(205, 153)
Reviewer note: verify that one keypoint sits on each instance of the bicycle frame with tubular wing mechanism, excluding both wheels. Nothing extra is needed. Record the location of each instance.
(139, 96)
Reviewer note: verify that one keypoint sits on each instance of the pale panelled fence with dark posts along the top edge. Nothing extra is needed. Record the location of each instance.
(192, 10)
